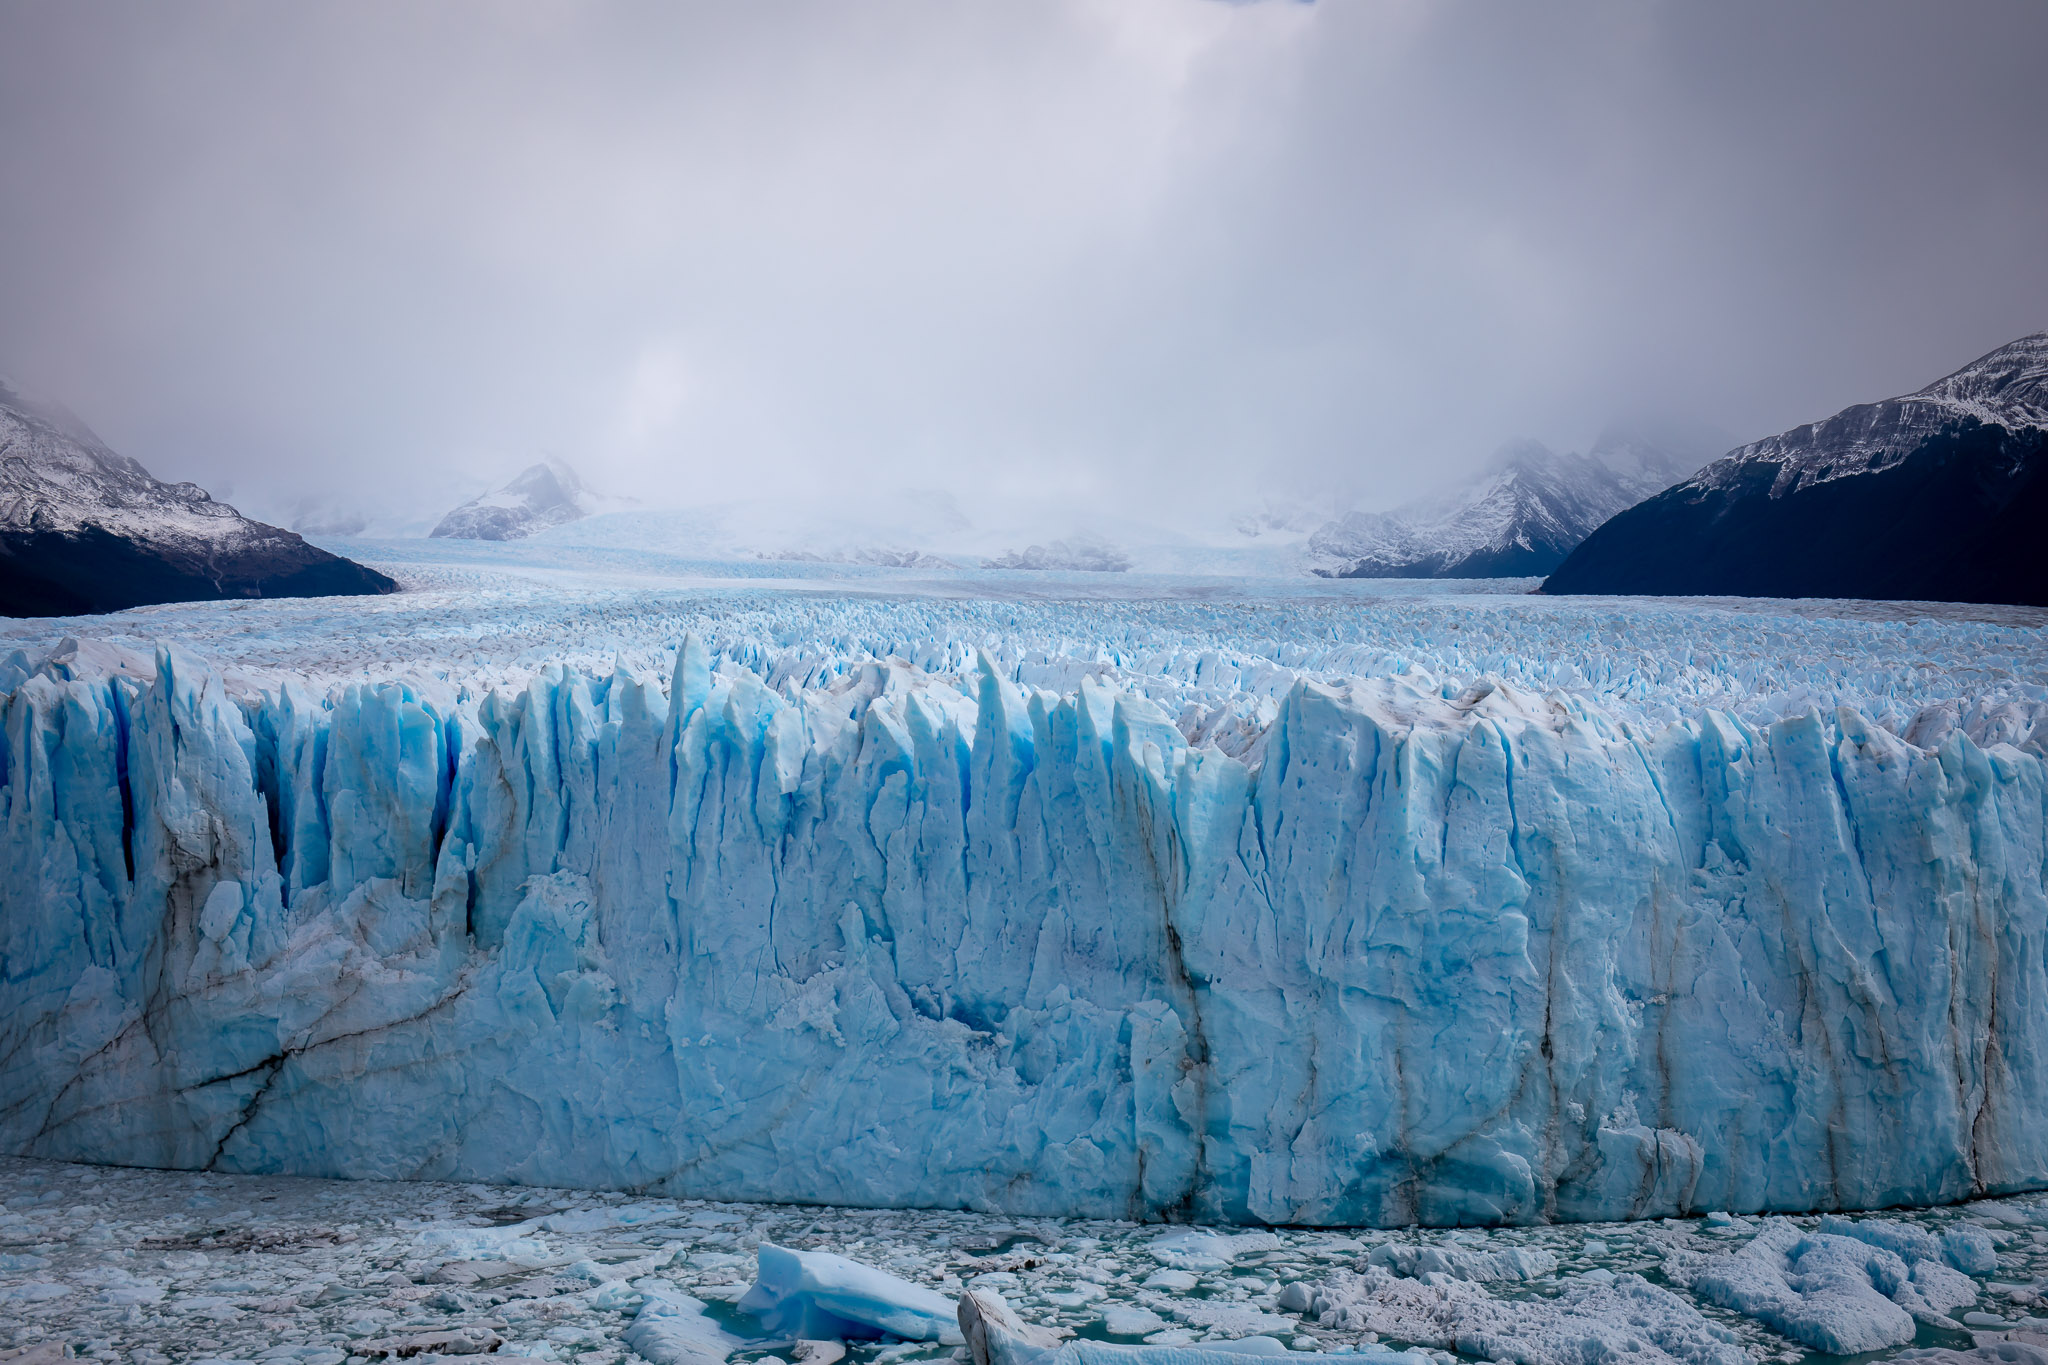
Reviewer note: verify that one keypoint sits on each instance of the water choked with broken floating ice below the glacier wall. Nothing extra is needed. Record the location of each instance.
(151, 1268)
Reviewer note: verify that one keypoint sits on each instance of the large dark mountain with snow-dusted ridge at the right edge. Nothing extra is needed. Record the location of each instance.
(1936, 494)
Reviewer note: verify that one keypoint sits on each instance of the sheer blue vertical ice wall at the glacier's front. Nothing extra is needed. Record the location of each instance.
(1422, 951)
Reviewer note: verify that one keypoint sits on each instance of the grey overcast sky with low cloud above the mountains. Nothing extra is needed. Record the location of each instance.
(1148, 253)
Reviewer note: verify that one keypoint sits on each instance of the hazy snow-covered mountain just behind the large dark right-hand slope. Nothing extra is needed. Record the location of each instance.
(1523, 517)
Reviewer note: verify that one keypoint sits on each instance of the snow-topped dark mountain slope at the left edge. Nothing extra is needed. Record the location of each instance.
(91, 531)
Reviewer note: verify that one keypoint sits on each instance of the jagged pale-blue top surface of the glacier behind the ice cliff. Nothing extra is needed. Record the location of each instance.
(490, 615)
